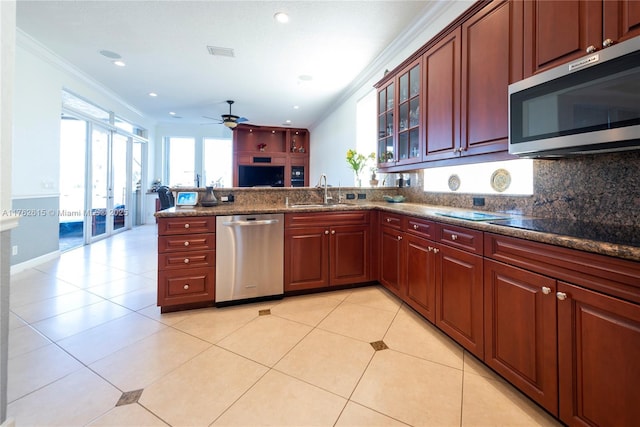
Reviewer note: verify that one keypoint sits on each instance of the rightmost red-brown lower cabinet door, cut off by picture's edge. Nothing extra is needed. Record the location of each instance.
(598, 353)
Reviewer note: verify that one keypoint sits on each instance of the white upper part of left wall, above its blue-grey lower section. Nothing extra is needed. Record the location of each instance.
(40, 78)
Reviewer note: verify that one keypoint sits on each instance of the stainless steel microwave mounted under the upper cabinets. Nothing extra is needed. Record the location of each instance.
(591, 105)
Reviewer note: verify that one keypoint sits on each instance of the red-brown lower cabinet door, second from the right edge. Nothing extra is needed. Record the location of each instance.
(520, 330)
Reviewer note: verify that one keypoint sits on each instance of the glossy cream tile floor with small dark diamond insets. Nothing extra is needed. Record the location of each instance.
(85, 328)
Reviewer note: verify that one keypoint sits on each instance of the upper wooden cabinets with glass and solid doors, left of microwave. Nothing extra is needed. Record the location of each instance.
(465, 72)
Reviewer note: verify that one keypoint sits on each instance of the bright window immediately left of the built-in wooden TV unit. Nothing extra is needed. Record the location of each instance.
(218, 162)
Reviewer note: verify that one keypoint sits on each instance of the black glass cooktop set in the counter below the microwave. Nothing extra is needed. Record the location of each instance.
(619, 235)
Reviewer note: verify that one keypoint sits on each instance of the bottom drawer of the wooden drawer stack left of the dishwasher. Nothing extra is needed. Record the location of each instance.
(186, 286)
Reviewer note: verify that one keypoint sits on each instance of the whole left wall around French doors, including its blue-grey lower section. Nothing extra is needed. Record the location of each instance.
(40, 77)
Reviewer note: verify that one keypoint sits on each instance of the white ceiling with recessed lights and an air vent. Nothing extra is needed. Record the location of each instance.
(164, 45)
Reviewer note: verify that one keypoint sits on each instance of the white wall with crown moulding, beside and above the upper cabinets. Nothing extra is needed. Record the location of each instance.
(333, 135)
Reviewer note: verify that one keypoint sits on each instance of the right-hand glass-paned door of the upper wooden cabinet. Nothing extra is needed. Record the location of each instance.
(409, 115)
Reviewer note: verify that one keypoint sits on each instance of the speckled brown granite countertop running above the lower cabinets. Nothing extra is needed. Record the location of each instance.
(595, 243)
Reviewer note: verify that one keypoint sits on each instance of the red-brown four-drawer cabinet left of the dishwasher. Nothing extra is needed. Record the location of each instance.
(186, 262)
